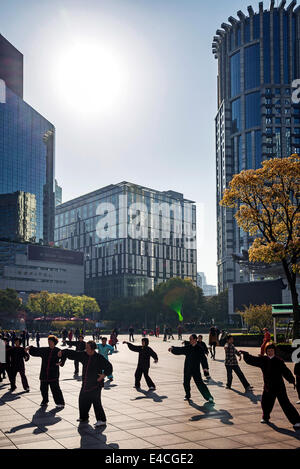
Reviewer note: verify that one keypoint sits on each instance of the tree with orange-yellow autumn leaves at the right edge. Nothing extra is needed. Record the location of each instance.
(268, 207)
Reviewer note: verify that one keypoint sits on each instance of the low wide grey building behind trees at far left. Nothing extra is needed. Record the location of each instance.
(30, 268)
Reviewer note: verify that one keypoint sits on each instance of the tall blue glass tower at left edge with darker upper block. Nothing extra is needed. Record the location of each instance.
(26, 146)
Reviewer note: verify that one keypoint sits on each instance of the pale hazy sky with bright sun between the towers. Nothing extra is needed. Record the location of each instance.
(145, 112)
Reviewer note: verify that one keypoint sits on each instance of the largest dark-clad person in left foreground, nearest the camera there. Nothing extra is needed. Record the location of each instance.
(95, 368)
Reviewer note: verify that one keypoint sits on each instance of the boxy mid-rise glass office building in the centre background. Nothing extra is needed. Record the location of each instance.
(133, 238)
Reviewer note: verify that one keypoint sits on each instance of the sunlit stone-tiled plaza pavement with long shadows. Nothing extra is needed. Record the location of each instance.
(143, 420)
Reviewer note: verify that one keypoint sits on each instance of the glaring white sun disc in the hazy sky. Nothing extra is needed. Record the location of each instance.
(91, 77)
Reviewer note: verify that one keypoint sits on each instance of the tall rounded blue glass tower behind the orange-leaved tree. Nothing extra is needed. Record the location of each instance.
(258, 59)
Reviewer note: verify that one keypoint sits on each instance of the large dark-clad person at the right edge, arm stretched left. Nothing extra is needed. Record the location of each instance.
(274, 370)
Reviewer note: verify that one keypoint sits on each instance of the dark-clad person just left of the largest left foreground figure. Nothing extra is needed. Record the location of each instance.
(49, 374)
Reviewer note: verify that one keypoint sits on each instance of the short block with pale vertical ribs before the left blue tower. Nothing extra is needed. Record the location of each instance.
(18, 216)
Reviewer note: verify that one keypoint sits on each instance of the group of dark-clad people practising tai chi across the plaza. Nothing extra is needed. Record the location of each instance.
(96, 366)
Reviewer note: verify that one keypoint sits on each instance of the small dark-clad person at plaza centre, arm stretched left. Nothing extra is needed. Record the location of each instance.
(145, 352)
